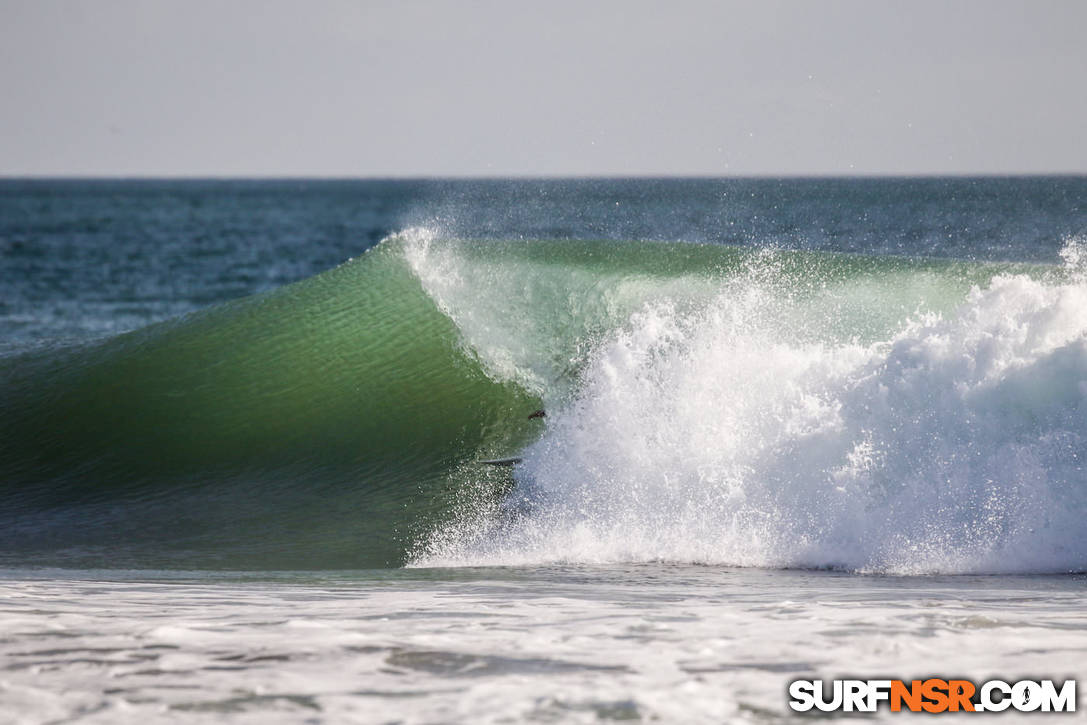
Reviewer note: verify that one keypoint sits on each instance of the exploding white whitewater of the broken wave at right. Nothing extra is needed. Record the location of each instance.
(731, 435)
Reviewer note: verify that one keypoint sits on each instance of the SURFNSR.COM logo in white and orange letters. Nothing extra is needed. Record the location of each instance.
(932, 696)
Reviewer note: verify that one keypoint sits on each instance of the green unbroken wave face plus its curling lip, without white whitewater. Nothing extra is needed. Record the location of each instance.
(332, 422)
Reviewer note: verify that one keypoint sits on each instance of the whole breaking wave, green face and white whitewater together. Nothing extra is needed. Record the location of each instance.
(706, 404)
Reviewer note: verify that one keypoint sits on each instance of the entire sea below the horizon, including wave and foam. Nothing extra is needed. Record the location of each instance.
(795, 429)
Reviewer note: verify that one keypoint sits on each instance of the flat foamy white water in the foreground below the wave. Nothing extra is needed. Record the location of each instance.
(590, 645)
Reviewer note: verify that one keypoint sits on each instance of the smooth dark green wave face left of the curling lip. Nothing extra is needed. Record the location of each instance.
(311, 428)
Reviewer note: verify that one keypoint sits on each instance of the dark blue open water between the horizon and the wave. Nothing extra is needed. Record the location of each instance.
(89, 258)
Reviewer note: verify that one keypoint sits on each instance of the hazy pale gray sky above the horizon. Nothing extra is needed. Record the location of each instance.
(408, 89)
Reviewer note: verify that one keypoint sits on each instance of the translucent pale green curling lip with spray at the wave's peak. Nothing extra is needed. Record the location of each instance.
(532, 312)
